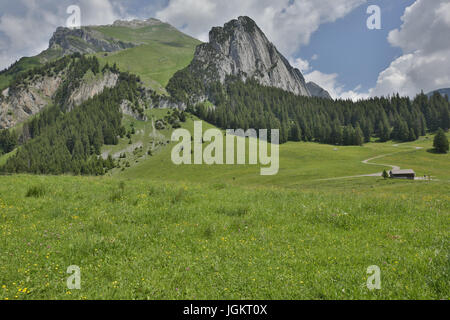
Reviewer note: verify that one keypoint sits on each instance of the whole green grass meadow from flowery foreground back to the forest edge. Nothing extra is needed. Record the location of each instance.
(160, 231)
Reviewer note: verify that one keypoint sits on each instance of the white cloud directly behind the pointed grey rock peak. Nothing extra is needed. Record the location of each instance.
(289, 24)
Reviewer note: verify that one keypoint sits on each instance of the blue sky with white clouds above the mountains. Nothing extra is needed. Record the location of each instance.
(329, 41)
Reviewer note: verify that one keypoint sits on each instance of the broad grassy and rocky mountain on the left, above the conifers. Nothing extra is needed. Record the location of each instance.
(151, 49)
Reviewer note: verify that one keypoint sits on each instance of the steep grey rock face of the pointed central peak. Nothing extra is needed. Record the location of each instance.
(241, 49)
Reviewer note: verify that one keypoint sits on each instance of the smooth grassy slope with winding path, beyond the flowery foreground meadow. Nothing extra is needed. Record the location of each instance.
(299, 165)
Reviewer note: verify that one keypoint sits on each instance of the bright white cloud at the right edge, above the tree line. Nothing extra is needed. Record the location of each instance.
(424, 40)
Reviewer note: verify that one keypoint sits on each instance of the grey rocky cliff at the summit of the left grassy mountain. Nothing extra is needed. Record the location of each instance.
(85, 40)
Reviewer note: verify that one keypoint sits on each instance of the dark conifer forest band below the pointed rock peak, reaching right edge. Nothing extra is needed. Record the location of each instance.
(341, 122)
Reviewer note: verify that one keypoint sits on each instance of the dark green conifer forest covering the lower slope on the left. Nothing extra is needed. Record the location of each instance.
(60, 141)
